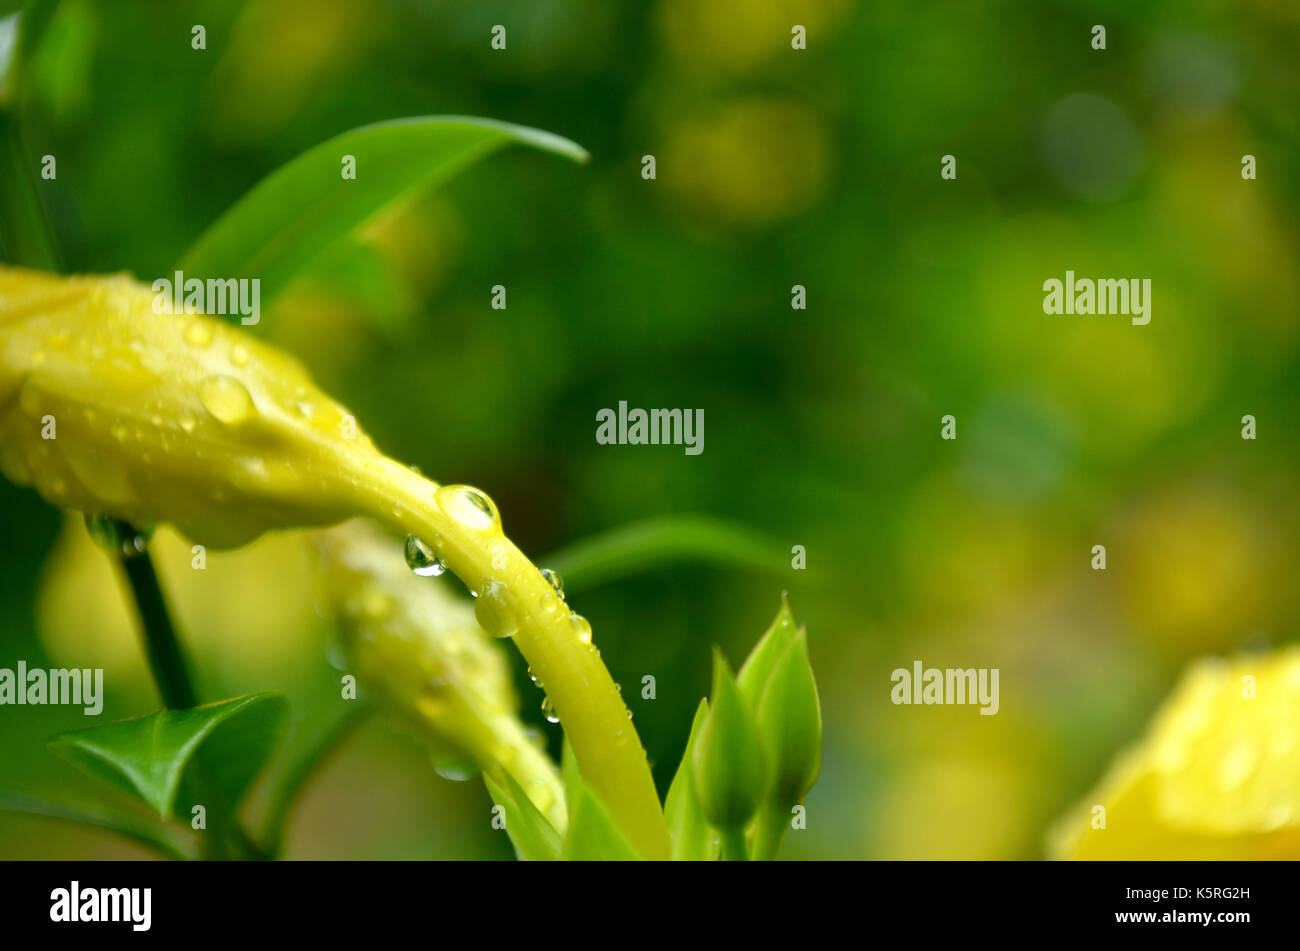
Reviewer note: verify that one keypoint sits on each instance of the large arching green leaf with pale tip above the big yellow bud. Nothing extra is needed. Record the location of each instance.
(301, 210)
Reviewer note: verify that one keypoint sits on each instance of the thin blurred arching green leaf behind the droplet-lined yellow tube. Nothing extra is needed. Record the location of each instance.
(657, 542)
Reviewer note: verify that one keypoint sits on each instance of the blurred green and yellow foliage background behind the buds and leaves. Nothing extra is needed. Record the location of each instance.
(775, 168)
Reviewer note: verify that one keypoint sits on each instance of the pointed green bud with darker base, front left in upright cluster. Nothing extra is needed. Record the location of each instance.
(729, 765)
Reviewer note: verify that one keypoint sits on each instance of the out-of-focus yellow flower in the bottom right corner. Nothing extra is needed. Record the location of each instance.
(1216, 778)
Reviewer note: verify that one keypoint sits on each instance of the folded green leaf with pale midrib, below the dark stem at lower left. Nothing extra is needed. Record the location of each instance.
(220, 746)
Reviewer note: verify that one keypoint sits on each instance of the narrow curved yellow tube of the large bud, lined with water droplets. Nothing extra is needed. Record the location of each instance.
(584, 696)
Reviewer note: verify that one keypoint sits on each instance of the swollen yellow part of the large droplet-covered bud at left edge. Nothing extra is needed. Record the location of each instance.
(109, 407)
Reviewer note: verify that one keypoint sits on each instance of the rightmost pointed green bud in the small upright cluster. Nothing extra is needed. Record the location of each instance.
(790, 720)
